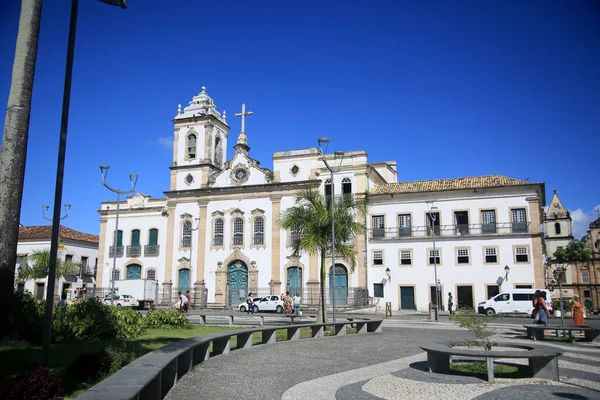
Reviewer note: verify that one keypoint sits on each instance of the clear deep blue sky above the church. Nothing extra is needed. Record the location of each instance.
(446, 88)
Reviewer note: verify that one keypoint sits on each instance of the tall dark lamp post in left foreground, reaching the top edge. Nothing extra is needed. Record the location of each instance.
(60, 169)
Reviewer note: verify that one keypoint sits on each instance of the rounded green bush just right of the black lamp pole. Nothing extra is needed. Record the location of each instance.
(85, 320)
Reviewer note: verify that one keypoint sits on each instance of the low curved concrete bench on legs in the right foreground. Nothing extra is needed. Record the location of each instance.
(543, 360)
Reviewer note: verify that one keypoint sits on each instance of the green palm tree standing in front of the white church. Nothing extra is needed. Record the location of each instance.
(311, 217)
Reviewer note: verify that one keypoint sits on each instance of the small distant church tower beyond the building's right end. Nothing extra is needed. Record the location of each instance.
(557, 226)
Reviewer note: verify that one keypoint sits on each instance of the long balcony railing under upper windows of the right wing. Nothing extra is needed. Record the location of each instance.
(502, 228)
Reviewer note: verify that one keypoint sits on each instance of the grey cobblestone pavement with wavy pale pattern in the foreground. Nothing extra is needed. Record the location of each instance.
(389, 365)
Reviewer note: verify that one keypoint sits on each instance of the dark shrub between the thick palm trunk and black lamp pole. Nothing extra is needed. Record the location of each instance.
(29, 317)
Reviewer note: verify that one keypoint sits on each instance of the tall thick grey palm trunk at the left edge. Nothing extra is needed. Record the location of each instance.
(14, 152)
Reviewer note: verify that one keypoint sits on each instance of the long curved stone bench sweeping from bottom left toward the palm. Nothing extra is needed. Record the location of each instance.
(152, 375)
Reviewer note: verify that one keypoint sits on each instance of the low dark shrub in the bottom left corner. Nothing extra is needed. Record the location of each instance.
(40, 385)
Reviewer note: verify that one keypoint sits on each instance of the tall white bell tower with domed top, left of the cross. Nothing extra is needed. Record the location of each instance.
(199, 143)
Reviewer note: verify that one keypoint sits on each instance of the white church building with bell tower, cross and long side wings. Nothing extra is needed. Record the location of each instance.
(217, 229)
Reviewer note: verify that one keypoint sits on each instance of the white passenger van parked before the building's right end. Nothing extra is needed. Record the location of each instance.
(511, 301)
